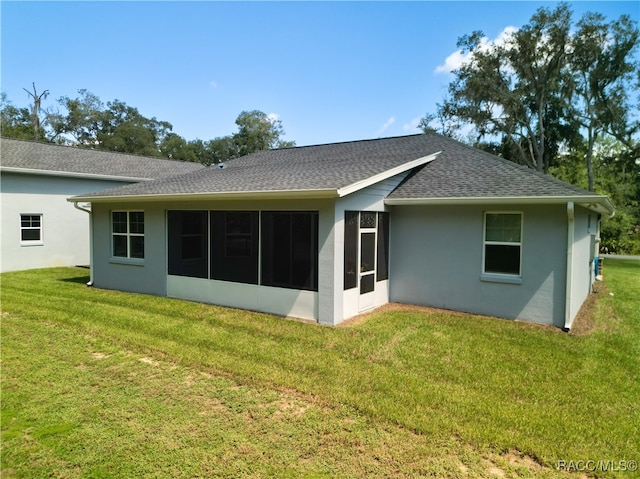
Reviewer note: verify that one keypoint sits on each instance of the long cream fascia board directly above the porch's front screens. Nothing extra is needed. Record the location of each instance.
(227, 195)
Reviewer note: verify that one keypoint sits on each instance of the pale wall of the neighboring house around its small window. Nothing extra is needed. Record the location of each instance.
(65, 229)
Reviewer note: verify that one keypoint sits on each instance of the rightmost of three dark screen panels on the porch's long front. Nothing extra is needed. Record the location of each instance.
(290, 249)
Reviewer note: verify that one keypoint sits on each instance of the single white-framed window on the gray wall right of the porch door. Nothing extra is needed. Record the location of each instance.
(503, 243)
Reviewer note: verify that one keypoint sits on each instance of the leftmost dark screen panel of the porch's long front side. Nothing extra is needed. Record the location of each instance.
(187, 243)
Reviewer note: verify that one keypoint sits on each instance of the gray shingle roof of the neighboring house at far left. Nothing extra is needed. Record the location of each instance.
(50, 159)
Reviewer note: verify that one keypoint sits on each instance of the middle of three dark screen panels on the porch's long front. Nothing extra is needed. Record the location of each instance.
(234, 246)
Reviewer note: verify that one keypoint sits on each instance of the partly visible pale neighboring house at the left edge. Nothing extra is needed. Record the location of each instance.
(39, 227)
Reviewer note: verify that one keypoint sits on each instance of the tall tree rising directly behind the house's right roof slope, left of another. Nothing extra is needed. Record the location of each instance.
(511, 90)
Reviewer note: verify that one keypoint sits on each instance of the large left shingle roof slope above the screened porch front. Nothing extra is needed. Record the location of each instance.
(299, 169)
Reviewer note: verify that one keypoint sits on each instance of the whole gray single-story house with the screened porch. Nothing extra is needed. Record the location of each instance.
(327, 232)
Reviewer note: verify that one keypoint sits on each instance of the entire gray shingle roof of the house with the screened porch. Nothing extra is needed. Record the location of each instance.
(459, 174)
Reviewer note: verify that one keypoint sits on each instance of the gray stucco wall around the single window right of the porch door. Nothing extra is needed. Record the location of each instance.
(436, 260)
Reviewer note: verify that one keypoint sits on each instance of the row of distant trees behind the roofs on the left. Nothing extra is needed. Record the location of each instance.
(86, 121)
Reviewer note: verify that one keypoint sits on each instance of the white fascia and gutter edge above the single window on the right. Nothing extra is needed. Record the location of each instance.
(598, 203)
